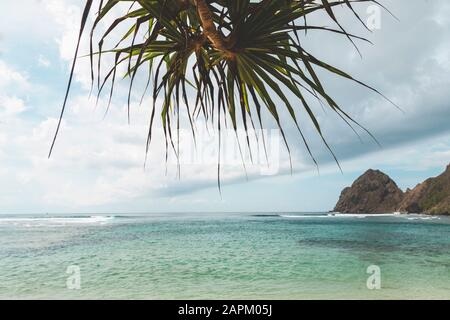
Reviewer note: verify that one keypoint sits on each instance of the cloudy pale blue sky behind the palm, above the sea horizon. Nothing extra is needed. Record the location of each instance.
(98, 162)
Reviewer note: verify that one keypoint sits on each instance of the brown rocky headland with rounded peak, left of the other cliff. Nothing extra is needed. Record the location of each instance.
(373, 192)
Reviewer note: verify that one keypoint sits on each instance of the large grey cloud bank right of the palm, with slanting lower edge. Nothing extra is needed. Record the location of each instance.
(408, 63)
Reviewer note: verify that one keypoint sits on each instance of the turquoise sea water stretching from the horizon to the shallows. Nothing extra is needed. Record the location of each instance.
(218, 256)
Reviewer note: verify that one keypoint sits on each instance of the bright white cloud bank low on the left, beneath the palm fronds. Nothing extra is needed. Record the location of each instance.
(97, 162)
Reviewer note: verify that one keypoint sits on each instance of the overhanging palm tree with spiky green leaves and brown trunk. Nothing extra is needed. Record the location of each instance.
(245, 54)
